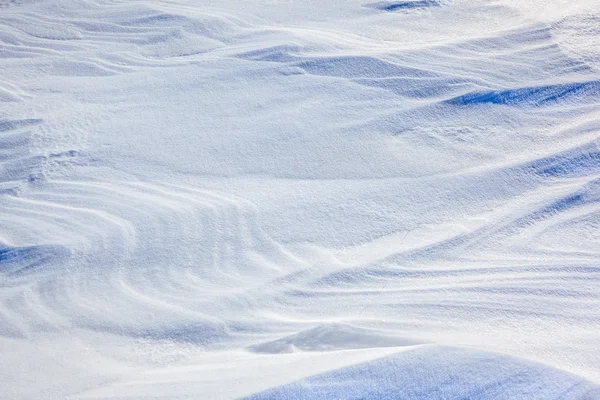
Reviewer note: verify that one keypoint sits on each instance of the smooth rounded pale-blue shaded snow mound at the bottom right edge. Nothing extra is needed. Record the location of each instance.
(408, 374)
